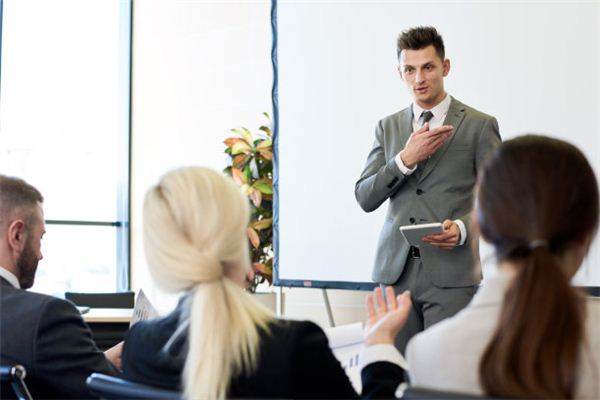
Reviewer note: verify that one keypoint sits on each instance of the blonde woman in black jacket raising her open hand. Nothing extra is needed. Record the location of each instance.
(219, 342)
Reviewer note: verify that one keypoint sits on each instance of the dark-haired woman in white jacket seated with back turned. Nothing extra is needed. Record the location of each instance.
(527, 333)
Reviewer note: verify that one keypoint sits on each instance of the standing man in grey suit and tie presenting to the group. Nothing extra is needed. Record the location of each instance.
(425, 160)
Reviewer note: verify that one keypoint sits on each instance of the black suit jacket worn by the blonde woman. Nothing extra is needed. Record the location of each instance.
(294, 362)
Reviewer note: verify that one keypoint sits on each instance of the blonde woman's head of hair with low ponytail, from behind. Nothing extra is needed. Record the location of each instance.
(195, 224)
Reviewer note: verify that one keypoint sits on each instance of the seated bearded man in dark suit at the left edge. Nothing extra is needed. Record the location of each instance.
(45, 334)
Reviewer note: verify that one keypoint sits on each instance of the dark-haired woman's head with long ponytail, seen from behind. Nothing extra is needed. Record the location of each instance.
(537, 204)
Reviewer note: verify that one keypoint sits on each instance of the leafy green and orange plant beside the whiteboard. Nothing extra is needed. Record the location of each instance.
(251, 167)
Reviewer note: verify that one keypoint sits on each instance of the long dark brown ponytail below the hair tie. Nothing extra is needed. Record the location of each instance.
(524, 358)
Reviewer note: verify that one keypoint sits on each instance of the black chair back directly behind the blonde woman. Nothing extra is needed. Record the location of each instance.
(109, 387)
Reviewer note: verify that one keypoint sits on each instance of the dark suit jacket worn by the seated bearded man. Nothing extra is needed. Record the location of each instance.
(49, 338)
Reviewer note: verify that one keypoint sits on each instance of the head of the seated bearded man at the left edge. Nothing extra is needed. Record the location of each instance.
(22, 227)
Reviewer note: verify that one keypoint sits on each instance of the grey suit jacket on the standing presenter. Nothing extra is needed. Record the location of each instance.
(441, 188)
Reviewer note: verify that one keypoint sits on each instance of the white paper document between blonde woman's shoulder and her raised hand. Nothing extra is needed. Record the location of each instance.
(346, 342)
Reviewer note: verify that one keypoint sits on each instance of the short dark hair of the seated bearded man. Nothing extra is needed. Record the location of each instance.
(16, 193)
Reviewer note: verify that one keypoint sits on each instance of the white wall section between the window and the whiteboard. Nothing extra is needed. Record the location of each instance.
(200, 68)
